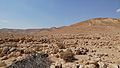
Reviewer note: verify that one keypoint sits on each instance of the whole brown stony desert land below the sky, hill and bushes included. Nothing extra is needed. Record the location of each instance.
(56, 48)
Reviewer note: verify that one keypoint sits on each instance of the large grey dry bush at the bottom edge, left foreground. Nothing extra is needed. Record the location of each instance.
(36, 60)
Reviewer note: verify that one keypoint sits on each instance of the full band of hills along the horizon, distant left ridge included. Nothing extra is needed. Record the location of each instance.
(96, 25)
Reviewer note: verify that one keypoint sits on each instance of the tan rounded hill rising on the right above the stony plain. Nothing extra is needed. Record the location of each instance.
(107, 25)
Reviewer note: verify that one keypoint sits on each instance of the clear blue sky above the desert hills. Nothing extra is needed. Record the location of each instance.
(25, 14)
